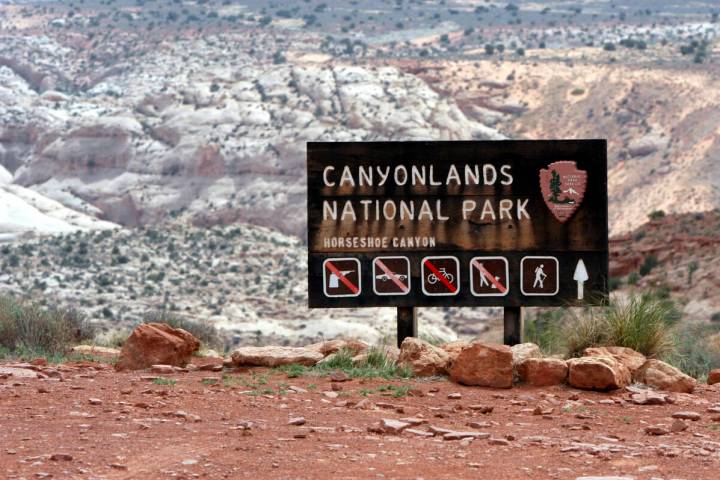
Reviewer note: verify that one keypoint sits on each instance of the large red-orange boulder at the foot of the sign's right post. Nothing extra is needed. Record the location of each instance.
(483, 365)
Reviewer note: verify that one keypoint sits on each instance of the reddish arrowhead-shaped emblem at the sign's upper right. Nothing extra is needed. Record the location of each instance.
(563, 188)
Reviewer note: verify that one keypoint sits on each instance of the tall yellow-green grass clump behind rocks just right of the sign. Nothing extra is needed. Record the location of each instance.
(641, 322)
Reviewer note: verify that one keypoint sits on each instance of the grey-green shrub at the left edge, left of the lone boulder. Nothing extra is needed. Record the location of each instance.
(30, 329)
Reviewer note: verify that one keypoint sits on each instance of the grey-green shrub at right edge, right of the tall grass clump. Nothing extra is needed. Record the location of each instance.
(694, 355)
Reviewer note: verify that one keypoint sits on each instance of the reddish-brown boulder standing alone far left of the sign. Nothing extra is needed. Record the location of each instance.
(157, 343)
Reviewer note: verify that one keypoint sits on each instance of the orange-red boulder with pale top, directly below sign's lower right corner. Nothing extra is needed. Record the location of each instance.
(597, 373)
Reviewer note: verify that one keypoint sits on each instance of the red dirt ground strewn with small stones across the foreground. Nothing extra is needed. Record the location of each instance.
(88, 422)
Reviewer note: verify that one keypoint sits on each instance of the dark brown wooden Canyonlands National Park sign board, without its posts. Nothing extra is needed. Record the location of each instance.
(477, 223)
